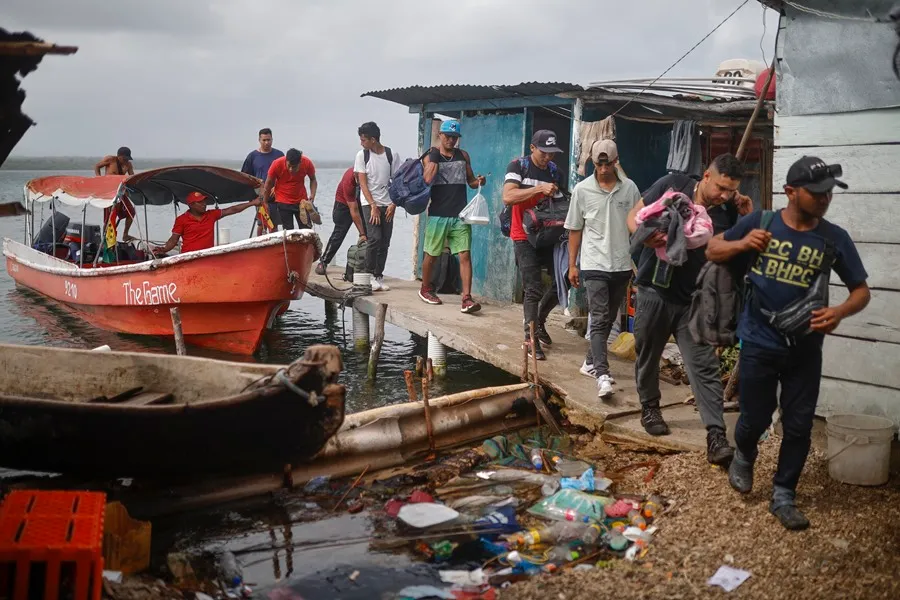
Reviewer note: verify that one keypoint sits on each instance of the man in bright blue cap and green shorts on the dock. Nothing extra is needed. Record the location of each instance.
(449, 169)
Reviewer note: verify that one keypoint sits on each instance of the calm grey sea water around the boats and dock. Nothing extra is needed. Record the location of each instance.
(28, 318)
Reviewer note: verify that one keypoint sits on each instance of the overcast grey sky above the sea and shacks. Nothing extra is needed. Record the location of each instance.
(198, 78)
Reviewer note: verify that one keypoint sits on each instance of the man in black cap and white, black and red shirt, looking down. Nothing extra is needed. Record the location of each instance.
(530, 180)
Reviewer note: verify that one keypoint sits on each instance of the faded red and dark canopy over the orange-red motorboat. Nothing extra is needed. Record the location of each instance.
(156, 187)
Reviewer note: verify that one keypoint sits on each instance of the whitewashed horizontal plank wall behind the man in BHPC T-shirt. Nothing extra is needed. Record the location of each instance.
(862, 358)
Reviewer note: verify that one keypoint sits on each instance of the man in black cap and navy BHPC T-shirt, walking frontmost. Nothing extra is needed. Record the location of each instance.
(798, 245)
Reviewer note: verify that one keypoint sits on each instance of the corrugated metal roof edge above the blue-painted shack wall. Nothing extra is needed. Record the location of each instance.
(418, 94)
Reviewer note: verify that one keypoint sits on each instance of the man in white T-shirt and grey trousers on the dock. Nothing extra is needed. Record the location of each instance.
(375, 165)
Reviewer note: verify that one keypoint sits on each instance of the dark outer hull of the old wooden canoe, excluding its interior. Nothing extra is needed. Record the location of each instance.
(254, 432)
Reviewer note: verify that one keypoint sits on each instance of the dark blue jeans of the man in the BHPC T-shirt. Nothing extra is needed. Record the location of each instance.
(799, 370)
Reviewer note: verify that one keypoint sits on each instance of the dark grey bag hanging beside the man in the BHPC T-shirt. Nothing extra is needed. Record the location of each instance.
(717, 302)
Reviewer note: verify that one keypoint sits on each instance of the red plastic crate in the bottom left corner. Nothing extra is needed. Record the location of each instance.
(55, 529)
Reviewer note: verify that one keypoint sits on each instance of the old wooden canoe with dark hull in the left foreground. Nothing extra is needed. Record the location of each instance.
(123, 414)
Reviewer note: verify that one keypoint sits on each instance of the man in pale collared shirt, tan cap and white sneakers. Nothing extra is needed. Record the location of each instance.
(598, 226)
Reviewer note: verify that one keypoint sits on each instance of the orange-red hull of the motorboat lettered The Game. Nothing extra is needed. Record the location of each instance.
(227, 295)
